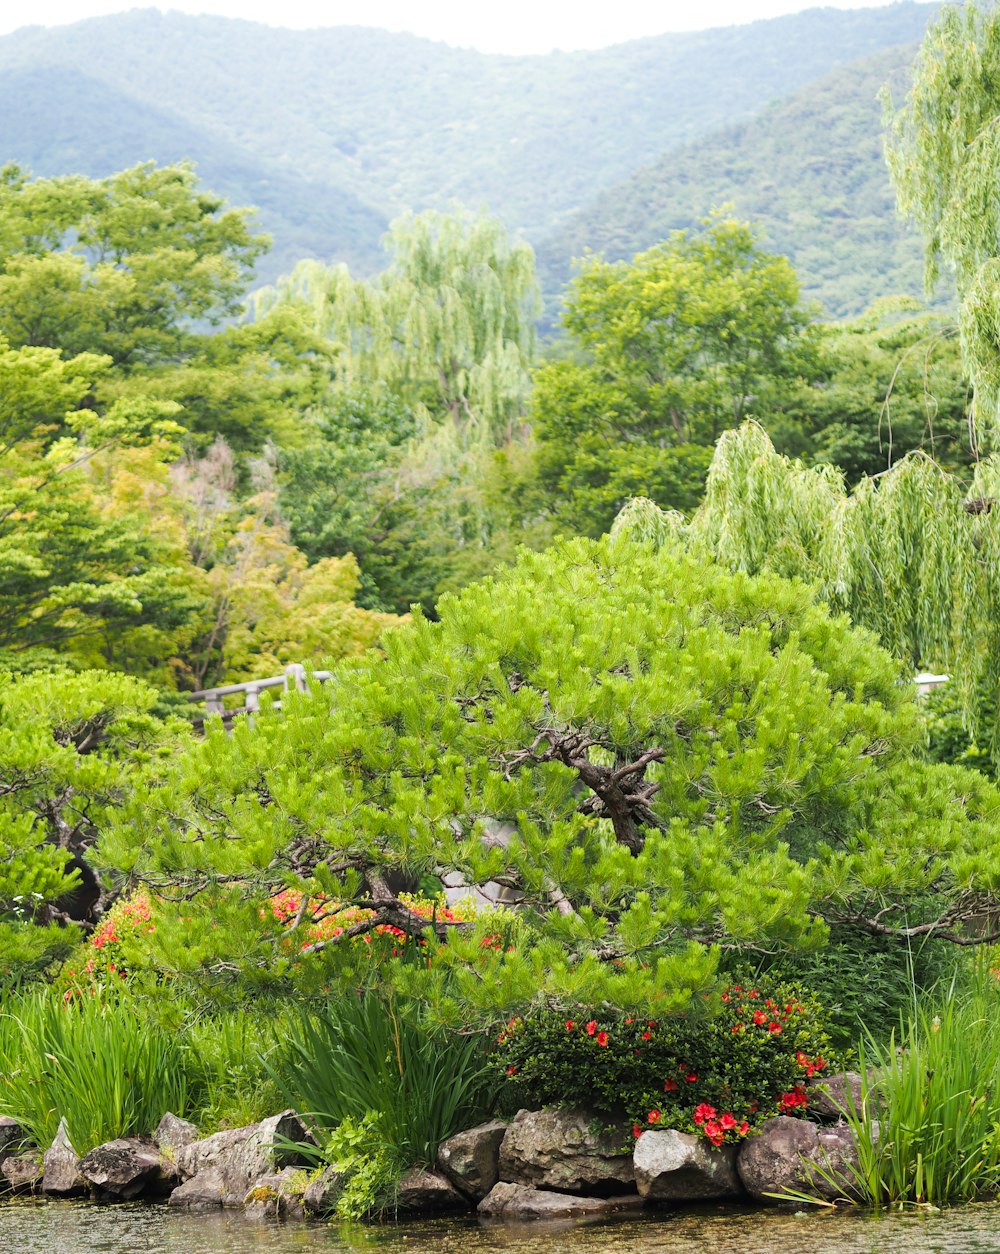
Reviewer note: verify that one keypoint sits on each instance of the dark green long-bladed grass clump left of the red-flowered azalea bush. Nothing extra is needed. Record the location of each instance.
(366, 1058)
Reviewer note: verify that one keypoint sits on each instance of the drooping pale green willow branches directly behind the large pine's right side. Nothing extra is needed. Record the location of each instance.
(908, 555)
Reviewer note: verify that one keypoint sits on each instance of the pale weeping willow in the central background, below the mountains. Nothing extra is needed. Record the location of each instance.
(450, 325)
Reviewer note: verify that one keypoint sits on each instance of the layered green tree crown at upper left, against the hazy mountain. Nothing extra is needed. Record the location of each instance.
(120, 266)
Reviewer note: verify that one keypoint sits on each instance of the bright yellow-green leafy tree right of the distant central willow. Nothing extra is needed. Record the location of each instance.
(673, 348)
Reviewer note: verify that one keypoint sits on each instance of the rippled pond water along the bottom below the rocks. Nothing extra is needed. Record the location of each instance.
(65, 1228)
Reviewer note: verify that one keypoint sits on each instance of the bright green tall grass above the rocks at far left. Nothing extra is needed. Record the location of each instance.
(97, 1062)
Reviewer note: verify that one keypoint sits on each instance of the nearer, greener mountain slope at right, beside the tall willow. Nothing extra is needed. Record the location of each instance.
(810, 170)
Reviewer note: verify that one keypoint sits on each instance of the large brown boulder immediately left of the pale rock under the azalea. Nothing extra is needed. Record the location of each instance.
(554, 1149)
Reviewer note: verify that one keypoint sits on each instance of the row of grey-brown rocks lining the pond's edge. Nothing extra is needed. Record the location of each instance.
(540, 1164)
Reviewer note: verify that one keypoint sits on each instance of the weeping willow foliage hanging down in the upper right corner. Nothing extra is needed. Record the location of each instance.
(944, 156)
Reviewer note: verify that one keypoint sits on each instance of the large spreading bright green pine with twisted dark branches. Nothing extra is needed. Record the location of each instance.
(674, 756)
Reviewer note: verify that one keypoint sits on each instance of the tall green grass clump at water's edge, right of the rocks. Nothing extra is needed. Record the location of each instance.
(929, 1125)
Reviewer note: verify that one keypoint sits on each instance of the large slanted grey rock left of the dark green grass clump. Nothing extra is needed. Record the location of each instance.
(243, 1156)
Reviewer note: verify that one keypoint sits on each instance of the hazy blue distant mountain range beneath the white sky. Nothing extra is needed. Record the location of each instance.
(336, 131)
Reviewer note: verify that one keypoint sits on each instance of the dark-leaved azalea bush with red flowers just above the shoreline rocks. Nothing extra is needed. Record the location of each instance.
(718, 1074)
